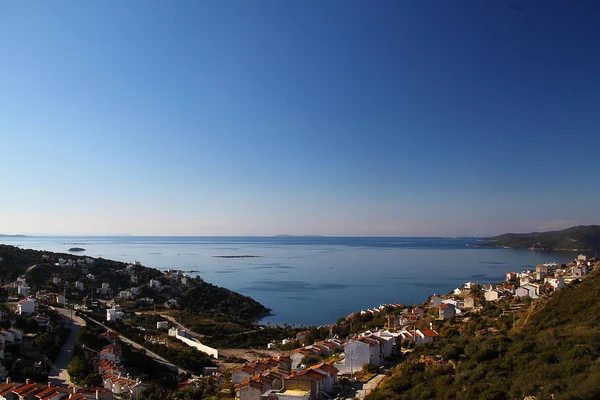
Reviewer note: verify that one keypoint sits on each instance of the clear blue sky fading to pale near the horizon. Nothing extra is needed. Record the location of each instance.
(298, 117)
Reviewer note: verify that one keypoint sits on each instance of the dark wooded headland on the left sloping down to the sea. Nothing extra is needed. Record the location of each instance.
(196, 298)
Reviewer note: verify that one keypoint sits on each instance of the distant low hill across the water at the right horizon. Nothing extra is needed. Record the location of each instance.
(577, 238)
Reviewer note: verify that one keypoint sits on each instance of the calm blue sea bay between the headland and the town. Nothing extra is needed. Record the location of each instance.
(315, 280)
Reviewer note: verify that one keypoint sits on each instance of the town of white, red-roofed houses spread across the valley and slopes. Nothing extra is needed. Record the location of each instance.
(71, 329)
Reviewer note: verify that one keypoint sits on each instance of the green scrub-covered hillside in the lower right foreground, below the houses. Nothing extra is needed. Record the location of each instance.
(553, 353)
